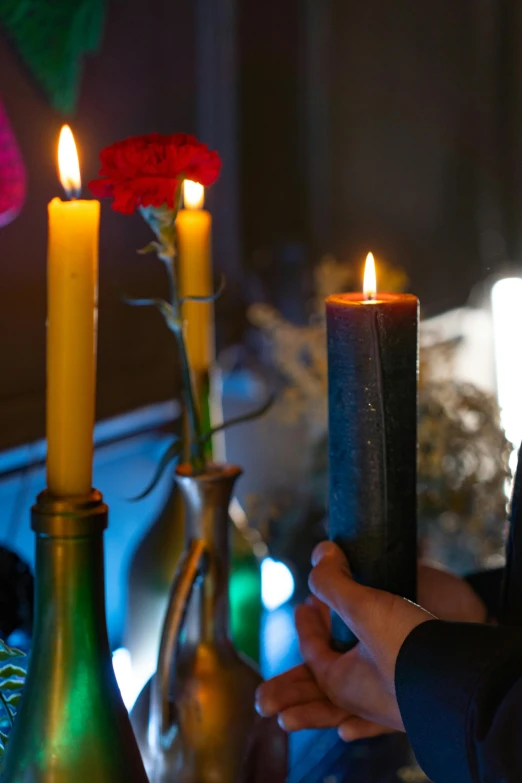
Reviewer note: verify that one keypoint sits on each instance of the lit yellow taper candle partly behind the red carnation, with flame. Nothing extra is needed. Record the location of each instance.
(194, 227)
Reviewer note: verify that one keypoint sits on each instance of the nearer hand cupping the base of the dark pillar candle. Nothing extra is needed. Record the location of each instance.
(354, 691)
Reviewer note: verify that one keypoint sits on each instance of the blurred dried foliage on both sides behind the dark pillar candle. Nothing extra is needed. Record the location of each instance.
(463, 452)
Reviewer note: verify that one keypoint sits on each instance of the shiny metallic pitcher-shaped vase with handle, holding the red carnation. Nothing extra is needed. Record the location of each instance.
(195, 720)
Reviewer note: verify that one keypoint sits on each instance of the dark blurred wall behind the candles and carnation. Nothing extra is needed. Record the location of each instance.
(386, 125)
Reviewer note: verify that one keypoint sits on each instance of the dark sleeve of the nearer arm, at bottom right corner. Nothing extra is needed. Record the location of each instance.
(459, 689)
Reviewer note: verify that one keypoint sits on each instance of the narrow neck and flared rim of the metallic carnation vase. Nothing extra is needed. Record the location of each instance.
(207, 498)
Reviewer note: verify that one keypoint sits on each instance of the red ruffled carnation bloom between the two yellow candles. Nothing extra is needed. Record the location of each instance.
(145, 171)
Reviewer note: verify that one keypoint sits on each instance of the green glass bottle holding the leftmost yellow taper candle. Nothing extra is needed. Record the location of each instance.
(72, 724)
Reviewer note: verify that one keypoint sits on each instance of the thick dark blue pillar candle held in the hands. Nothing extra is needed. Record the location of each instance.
(372, 399)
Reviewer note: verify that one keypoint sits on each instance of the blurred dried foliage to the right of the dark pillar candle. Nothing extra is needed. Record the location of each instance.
(463, 468)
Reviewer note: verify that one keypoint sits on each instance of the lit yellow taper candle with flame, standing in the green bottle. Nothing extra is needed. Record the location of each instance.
(72, 291)
